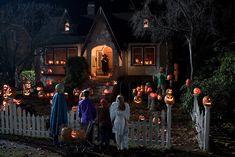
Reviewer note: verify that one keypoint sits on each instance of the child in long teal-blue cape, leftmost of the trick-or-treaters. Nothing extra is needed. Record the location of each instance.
(59, 116)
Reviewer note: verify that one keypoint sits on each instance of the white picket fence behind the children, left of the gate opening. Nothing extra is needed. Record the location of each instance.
(16, 121)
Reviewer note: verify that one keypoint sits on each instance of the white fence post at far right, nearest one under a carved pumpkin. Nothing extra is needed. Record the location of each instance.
(206, 128)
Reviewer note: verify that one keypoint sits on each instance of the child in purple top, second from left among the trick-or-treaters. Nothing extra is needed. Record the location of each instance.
(87, 114)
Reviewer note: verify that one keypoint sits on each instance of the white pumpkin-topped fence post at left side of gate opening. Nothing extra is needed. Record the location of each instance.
(168, 137)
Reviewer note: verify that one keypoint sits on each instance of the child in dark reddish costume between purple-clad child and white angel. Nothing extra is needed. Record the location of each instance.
(105, 126)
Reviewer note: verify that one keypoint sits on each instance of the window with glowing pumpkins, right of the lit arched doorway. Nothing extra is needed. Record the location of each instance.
(143, 55)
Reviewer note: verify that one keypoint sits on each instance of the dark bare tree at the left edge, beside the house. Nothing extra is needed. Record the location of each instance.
(20, 25)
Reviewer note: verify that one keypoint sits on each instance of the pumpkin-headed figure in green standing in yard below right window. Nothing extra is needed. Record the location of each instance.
(160, 81)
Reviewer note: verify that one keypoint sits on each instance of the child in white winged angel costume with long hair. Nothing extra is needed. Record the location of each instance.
(120, 114)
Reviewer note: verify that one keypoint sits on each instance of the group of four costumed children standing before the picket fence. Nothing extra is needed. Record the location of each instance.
(112, 119)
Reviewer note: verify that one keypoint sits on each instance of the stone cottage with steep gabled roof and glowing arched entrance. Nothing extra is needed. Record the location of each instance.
(101, 32)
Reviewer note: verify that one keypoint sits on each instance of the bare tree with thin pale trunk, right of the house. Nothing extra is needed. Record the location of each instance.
(188, 18)
